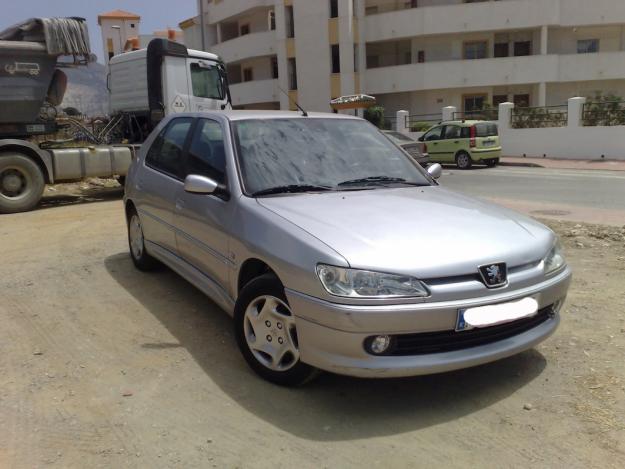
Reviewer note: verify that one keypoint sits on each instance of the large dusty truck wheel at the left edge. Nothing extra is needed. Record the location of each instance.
(21, 183)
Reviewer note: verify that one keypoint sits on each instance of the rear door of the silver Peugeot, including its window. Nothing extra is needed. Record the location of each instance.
(160, 180)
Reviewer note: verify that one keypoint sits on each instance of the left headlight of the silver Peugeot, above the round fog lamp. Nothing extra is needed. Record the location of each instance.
(355, 283)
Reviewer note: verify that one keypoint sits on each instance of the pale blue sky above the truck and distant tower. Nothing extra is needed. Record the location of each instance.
(155, 14)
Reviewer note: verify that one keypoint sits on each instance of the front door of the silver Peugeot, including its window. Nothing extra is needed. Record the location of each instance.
(203, 220)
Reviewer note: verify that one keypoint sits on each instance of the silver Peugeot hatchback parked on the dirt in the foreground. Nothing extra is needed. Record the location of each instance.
(332, 249)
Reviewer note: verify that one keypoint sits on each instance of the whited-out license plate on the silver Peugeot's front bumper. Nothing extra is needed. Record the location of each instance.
(491, 315)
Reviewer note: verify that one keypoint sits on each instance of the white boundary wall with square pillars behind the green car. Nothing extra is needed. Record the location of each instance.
(574, 141)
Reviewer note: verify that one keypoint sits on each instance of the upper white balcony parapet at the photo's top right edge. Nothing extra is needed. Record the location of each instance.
(491, 16)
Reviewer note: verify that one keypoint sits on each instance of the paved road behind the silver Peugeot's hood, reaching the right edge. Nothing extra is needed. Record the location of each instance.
(578, 195)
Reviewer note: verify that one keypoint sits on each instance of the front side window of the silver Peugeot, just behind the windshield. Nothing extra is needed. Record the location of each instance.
(207, 155)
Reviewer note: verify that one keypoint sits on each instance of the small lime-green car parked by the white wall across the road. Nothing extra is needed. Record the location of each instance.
(464, 143)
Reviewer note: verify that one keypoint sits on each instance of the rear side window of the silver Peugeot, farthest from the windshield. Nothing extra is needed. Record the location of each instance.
(165, 154)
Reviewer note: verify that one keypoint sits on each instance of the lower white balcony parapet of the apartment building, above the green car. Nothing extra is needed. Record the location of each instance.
(495, 72)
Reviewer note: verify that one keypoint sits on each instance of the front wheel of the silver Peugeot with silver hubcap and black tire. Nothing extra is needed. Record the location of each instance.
(265, 332)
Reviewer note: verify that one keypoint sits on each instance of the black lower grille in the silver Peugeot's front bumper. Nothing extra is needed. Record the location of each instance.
(447, 341)
